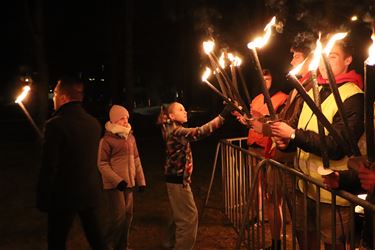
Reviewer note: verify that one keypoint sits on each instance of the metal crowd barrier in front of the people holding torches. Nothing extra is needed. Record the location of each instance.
(244, 183)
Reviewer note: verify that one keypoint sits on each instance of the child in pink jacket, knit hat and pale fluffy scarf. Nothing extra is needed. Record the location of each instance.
(122, 173)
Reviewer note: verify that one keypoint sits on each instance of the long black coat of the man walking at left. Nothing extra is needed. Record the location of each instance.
(69, 178)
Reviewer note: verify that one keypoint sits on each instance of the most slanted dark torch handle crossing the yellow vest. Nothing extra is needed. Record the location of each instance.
(320, 116)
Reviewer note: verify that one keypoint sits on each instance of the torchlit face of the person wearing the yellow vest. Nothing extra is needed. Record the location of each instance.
(338, 61)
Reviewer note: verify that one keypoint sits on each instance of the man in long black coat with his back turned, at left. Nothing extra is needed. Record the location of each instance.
(69, 181)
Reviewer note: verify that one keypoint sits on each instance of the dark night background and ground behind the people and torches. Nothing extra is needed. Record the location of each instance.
(140, 54)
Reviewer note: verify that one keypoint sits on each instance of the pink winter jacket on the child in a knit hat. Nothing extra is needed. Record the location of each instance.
(119, 160)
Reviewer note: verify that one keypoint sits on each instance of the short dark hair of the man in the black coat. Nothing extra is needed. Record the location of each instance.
(71, 87)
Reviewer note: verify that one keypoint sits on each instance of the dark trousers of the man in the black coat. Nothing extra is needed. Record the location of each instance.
(60, 222)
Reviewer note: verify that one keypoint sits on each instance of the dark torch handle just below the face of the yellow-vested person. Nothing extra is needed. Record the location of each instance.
(340, 106)
